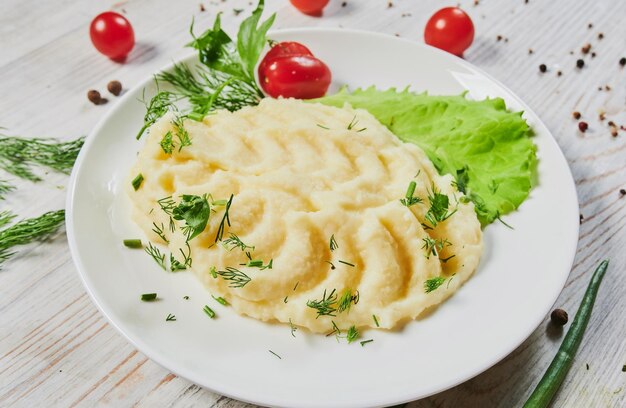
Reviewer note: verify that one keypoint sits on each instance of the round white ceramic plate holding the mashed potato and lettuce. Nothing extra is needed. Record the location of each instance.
(521, 273)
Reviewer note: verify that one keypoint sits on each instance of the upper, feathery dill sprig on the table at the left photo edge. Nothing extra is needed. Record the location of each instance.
(17, 155)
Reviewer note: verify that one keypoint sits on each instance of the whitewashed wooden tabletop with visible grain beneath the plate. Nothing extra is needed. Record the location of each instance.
(57, 350)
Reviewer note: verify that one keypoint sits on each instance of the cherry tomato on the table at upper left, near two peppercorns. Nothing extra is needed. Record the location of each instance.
(112, 35)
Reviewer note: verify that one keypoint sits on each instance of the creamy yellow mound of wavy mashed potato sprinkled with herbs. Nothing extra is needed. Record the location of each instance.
(301, 173)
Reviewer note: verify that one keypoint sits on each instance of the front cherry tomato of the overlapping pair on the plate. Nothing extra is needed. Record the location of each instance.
(296, 76)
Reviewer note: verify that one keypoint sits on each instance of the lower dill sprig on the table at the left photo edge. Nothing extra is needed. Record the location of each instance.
(26, 231)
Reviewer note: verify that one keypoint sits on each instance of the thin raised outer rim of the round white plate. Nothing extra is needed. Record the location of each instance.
(408, 397)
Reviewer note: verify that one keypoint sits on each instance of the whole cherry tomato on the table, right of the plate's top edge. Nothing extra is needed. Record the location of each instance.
(450, 29)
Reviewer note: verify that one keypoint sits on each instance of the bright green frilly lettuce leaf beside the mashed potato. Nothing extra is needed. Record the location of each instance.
(483, 145)
